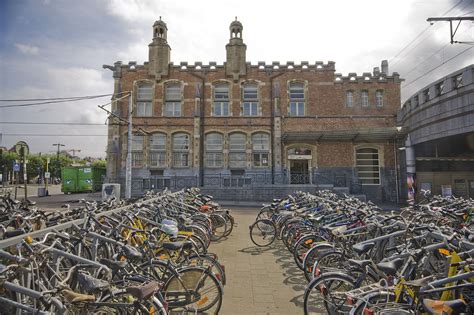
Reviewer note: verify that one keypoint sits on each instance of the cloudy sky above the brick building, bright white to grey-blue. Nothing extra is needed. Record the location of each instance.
(56, 48)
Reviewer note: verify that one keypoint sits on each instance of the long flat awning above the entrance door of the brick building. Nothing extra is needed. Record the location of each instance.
(357, 135)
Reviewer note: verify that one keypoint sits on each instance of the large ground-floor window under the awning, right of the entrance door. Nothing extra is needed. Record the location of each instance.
(368, 166)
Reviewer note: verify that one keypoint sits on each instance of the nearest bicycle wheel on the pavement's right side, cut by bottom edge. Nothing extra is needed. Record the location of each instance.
(326, 294)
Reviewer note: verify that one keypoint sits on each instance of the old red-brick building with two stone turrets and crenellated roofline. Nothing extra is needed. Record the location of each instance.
(254, 131)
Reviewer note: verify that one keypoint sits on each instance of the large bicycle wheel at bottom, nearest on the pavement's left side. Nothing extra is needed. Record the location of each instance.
(196, 289)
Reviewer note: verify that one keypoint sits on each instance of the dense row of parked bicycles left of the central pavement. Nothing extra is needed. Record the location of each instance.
(148, 257)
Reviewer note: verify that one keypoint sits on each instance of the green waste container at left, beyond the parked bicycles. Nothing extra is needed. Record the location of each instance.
(82, 179)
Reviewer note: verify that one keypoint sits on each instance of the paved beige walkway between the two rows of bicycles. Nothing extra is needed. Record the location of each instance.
(259, 280)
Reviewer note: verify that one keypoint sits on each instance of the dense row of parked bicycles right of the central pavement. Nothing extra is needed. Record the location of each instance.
(360, 259)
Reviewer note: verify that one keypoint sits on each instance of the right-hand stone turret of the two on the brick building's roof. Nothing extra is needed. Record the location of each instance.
(236, 62)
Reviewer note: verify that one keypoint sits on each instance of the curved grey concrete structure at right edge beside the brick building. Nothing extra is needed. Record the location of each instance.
(439, 125)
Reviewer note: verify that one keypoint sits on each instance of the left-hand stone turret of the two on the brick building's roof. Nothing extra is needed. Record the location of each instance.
(159, 51)
